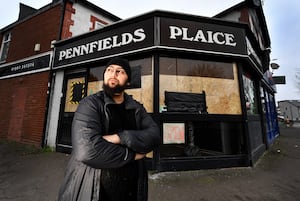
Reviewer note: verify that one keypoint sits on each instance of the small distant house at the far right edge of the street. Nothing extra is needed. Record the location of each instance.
(290, 109)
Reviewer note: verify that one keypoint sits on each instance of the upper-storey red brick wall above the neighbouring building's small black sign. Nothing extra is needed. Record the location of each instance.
(42, 29)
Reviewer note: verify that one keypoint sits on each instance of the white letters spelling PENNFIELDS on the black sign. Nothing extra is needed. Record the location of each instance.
(104, 44)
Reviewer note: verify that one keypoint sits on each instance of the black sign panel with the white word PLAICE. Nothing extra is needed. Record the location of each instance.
(202, 36)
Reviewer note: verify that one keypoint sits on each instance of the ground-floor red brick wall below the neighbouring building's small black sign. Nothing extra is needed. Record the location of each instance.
(22, 108)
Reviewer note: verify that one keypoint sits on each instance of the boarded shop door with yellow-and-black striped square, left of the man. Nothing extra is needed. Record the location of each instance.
(74, 91)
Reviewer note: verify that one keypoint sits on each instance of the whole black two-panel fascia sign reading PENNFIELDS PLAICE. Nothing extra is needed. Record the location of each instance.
(154, 32)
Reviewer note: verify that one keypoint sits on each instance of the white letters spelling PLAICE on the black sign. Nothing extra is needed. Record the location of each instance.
(214, 37)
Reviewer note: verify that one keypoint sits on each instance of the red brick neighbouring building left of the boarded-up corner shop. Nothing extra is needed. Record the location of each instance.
(25, 63)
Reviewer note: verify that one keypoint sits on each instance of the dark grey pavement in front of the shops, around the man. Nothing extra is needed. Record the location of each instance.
(30, 174)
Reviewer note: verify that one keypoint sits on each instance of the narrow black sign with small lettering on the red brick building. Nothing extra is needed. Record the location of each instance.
(26, 66)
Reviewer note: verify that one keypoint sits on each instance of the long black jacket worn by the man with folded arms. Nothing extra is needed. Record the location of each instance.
(91, 152)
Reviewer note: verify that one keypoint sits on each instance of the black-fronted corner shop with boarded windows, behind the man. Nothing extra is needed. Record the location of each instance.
(200, 78)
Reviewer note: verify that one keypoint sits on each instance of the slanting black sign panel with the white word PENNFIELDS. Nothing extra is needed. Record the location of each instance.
(103, 43)
